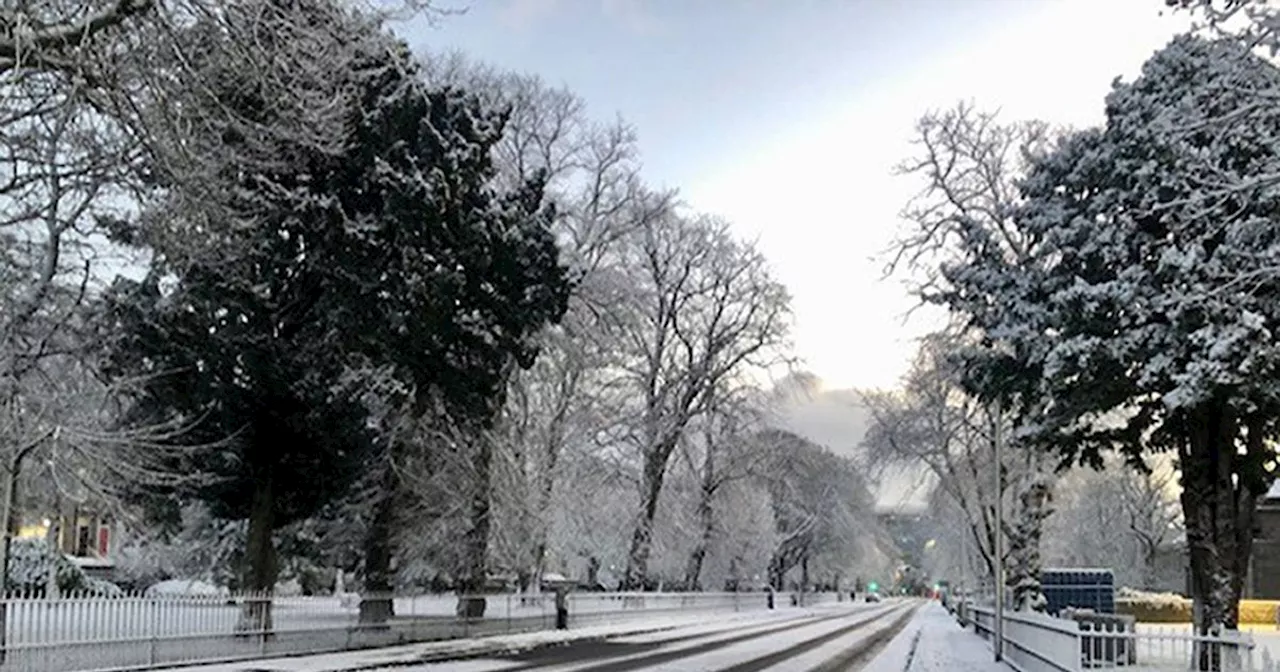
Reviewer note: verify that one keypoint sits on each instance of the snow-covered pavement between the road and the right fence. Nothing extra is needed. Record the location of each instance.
(943, 647)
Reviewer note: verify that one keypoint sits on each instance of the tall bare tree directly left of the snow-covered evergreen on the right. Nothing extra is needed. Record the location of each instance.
(970, 164)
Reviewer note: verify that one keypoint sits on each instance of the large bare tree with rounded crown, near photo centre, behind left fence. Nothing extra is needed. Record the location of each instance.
(702, 313)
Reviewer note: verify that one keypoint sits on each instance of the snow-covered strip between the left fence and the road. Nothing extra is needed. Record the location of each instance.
(501, 644)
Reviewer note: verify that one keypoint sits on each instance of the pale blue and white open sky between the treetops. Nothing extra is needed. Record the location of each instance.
(788, 117)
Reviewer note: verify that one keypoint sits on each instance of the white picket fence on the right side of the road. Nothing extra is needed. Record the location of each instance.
(1040, 643)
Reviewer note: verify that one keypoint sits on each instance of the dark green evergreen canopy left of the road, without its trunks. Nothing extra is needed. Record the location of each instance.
(397, 254)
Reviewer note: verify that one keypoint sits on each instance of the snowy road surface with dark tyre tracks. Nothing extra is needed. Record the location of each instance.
(828, 641)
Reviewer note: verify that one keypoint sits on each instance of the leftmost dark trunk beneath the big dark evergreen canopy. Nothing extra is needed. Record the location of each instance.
(260, 568)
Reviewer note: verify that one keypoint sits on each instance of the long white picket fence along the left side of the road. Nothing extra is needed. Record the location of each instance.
(76, 634)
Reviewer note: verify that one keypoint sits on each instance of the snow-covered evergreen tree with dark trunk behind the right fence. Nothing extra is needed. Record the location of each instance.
(1142, 310)
